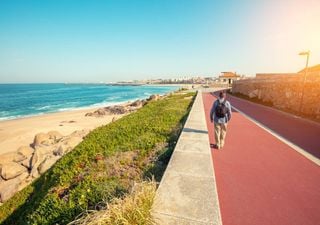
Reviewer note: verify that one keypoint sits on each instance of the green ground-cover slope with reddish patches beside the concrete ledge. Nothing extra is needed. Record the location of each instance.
(102, 167)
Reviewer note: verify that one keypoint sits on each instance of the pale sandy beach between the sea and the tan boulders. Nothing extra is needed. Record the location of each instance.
(21, 132)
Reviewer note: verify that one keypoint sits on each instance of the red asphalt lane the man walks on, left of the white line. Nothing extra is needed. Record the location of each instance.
(261, 180)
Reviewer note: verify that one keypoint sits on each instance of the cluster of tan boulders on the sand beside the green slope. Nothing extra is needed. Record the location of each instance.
(18, 169)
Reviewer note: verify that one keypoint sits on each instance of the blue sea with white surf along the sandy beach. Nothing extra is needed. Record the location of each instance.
(22, 100)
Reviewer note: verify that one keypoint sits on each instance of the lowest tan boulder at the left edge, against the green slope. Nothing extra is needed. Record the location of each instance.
(10, 187)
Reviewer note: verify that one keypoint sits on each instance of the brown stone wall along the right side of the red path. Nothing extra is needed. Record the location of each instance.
(284, 92)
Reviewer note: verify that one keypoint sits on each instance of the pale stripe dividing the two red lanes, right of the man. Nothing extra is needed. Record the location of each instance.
(284, 140)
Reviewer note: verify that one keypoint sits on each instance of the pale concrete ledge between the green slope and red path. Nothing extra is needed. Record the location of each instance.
(187, 193)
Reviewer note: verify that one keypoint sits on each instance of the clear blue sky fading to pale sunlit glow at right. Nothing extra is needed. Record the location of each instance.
(115, 40)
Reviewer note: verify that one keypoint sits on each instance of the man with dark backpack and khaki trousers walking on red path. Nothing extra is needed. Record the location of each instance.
(220, 114)
